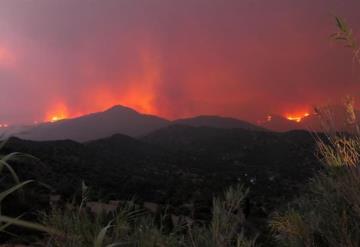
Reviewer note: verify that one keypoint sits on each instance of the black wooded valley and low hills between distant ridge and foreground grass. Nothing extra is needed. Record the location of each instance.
(177, 165)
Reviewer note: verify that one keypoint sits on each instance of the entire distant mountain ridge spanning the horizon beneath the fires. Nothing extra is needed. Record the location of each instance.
(127, 121)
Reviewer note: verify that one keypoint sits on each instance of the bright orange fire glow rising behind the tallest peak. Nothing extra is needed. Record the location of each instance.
(138, 92)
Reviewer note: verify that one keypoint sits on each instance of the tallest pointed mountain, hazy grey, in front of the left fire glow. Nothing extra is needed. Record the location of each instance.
(116, 120)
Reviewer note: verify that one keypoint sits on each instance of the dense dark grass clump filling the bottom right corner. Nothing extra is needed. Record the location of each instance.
(328, 215)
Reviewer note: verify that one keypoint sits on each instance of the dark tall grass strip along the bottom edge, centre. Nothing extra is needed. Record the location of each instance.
(130, 225)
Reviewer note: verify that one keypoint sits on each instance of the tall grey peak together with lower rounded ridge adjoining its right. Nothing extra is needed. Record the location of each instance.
(121, 120)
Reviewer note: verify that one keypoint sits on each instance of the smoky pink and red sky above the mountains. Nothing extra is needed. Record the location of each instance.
(174, 58)
